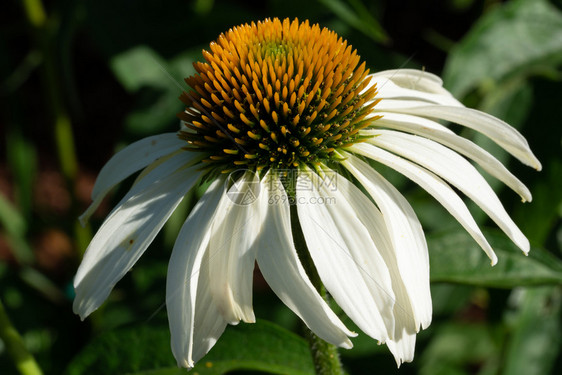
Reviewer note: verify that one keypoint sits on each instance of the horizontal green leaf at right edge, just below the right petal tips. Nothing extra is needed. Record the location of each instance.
(455, 257)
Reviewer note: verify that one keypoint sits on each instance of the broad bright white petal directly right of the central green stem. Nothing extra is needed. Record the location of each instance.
(345, 256)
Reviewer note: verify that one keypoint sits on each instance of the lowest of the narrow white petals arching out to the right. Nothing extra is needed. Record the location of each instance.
(434, 186)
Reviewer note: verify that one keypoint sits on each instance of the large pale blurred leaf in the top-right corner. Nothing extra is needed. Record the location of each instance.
(520, 37)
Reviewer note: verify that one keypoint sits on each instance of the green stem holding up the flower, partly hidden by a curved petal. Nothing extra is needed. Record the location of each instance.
(325, 355)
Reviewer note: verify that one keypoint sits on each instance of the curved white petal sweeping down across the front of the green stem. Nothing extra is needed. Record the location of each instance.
(282, 269)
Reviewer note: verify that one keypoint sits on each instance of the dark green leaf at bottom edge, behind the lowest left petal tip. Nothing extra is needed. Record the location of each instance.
(145, 350)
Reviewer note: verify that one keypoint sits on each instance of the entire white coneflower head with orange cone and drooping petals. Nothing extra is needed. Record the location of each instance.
(289, 109)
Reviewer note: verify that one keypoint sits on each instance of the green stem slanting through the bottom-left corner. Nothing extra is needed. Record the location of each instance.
(23, 360)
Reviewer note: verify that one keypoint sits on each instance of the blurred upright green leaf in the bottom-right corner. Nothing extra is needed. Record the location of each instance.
(534, 342)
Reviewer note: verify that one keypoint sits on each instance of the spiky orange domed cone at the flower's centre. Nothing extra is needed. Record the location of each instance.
(276, 95)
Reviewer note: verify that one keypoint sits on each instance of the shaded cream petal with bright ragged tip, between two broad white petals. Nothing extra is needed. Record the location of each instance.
(403, 341)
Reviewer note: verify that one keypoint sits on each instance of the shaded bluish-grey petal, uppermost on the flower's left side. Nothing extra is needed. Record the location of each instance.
(128, 161)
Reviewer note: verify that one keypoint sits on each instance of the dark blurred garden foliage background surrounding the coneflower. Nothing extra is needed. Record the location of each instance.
(80, 79)
